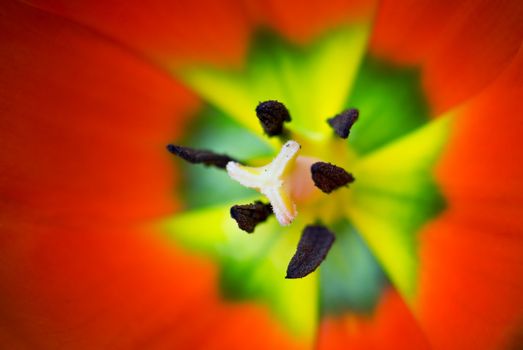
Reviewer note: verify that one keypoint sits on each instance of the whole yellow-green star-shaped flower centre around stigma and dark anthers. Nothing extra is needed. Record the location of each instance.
(391, 151)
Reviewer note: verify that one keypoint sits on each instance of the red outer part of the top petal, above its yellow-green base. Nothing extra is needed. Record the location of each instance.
(218, 31)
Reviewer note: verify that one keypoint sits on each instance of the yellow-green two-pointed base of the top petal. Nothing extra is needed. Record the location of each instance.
(313, 82)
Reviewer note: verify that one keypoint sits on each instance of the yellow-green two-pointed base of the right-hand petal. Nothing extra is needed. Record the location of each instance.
(394, 195)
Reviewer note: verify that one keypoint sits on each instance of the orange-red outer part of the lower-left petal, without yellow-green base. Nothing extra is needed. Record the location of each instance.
(111, 288)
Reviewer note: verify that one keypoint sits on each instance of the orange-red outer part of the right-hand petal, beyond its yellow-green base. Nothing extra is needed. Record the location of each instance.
(471, 259)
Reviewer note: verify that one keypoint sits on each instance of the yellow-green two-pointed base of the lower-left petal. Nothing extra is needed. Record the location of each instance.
(253, 265)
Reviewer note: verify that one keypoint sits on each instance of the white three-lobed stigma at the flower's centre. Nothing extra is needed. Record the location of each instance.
(268, 180)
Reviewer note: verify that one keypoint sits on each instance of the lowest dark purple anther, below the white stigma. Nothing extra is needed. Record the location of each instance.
(313, 247)
